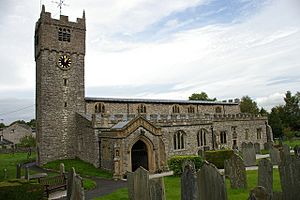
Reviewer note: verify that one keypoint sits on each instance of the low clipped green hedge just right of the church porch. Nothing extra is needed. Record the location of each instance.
(175, 163)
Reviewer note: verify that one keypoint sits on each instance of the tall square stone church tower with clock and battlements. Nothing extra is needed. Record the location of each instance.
(59, 57)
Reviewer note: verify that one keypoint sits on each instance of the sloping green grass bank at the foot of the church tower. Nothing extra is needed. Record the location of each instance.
(81, 167)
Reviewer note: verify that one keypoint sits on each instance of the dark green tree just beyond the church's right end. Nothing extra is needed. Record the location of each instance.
(275, 121)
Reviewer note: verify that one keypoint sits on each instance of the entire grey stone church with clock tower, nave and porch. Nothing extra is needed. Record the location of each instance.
(115, 133)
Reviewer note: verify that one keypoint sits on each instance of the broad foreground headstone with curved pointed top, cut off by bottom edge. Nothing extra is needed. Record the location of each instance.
(211, 184)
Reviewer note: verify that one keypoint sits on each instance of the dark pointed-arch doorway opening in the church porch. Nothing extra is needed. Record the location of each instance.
(139, 156)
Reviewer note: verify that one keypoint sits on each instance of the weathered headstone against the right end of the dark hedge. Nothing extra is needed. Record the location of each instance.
(236, 171)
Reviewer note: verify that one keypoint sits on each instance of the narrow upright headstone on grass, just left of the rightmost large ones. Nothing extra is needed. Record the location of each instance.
(265, 175)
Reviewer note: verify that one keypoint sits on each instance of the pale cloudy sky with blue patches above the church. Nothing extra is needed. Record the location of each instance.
(161, 49)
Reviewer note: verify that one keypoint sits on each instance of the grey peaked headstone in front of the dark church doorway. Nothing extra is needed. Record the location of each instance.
(138, 184)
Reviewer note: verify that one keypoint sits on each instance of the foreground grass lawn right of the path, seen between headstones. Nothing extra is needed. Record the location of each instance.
(172, 188)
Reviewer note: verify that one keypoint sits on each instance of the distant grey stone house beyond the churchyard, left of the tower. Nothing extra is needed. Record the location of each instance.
(15, 132)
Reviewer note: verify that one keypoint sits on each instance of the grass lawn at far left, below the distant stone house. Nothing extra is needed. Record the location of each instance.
(9, 162)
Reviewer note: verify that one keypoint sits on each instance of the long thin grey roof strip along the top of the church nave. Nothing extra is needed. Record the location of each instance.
(161, 101)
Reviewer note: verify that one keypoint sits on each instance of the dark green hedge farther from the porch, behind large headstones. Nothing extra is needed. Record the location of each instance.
(218, 157)
